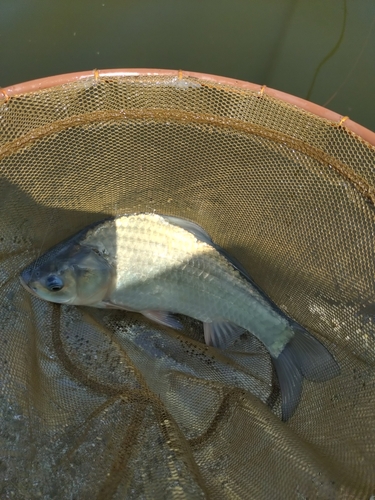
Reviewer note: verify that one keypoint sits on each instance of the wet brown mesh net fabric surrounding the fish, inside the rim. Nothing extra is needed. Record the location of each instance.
(105, 404)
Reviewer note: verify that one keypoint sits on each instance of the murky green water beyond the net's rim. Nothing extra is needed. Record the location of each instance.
(320, 49)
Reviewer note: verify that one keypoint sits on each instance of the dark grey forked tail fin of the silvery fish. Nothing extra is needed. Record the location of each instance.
(303, 356)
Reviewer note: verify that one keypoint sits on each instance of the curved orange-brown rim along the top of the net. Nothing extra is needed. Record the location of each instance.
(320, 111)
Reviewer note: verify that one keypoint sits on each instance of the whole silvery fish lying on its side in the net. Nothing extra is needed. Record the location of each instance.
(162, 265)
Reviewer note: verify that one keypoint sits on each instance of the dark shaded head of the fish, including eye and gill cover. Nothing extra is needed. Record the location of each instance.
(74, 274)
